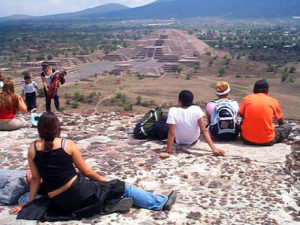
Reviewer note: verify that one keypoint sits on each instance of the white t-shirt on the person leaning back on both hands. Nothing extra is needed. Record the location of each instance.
(187, 130)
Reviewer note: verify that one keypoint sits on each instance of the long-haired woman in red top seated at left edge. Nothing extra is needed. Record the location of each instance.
(10, 105)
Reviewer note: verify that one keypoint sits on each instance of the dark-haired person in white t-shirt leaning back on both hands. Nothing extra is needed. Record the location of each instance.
(185, 123)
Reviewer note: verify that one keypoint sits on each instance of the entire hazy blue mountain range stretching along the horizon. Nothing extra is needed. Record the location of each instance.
(166, 9)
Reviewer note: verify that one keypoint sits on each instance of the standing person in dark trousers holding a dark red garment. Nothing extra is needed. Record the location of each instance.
(47, 76)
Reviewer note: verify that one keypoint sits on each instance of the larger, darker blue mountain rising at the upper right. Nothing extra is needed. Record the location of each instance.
(164, 9)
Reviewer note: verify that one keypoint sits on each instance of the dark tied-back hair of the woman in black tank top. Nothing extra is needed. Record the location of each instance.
(49, 129)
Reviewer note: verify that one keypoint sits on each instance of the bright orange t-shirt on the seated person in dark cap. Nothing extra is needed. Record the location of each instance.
(258, 111)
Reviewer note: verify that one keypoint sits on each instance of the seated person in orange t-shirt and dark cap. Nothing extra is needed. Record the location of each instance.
(258, 111)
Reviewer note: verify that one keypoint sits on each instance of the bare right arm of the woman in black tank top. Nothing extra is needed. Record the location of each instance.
(79, 162)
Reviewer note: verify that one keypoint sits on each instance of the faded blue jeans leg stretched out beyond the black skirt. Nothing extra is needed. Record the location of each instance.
(145, 199)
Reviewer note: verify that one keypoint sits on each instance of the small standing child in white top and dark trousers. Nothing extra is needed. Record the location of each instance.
(30, 89)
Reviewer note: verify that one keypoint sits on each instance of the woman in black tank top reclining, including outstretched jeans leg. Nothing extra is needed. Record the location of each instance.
(71, 194)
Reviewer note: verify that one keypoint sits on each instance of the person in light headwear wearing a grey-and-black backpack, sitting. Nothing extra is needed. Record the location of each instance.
(222, 114)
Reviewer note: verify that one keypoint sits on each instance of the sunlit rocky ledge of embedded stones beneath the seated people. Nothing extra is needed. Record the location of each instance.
(247, 186)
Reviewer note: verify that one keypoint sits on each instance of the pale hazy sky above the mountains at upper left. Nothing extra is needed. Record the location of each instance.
(46, 7)
